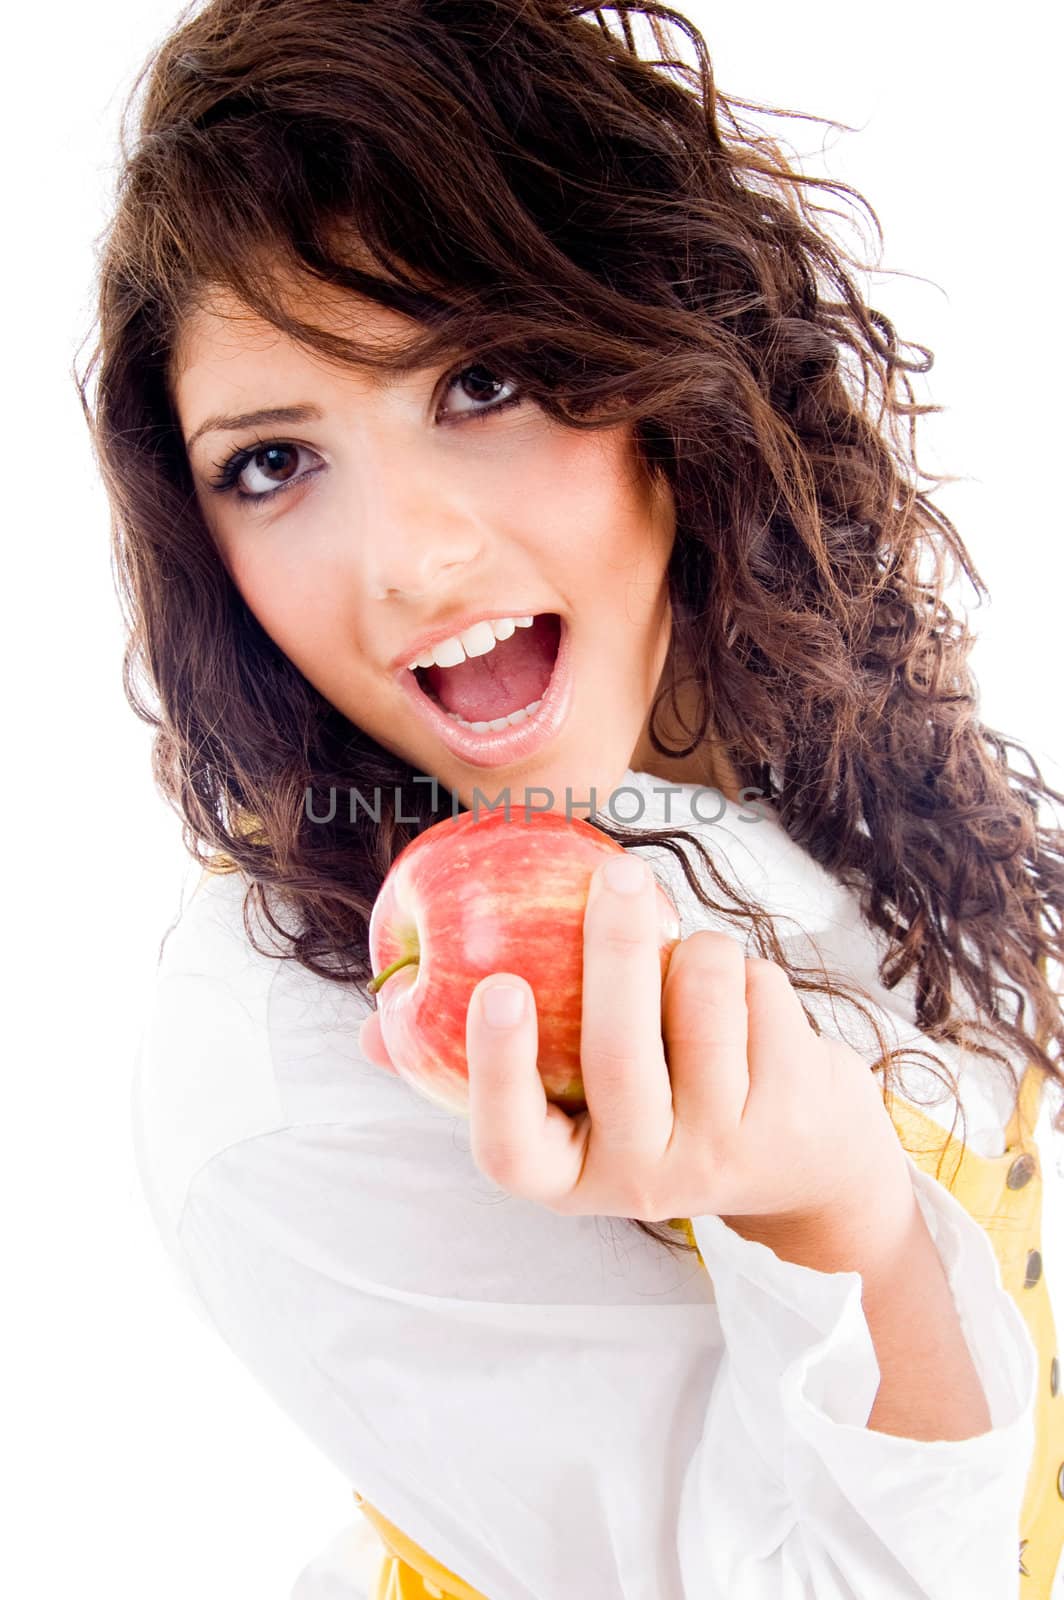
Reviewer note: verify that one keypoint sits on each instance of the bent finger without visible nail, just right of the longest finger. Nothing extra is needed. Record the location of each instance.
(706, 1030)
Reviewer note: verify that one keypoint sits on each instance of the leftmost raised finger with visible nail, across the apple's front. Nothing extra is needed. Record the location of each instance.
(518, 1137)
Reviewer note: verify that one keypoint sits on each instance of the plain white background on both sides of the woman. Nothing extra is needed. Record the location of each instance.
(143, 1460)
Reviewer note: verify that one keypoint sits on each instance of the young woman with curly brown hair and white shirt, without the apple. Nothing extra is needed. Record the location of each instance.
(484, 410)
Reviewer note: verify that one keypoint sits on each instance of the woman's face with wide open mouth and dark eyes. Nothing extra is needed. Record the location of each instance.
(415, 510)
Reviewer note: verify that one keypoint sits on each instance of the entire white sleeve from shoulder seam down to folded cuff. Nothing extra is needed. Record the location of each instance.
(540, 1441)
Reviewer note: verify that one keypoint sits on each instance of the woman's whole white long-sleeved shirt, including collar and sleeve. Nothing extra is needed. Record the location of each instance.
(554, 1406)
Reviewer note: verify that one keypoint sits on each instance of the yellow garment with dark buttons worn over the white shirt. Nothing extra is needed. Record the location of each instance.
(1004, 1194)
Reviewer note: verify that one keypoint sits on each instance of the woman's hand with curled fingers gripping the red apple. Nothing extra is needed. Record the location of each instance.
(710, 1095)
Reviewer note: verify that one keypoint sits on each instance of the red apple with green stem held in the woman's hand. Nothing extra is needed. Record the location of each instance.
(484, 894)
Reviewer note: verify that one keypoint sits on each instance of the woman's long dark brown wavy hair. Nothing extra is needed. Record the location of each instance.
(604, 228)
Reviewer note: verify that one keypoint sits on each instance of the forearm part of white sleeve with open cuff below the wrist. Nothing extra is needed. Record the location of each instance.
(793, 1498)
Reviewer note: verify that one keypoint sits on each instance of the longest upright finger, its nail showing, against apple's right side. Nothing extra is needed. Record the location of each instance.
(623, 1060)
